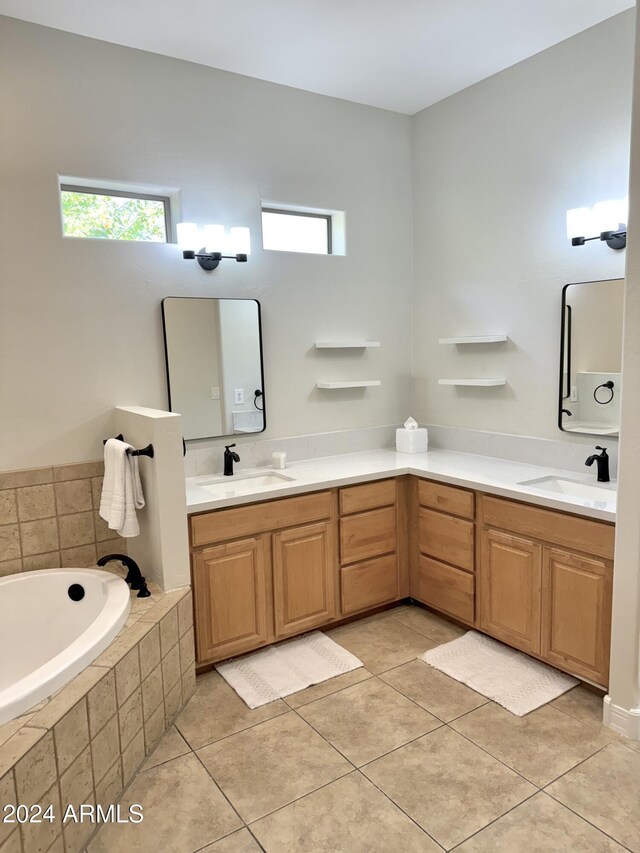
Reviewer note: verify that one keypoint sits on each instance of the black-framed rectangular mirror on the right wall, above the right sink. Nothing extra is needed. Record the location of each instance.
(591, 357)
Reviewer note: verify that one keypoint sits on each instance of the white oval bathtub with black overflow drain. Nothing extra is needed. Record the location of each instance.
(53, 623)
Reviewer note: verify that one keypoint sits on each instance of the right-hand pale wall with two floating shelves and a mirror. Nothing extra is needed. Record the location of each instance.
(496, 167)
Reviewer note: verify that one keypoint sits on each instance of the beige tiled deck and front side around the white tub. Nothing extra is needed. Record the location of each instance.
(85, 743)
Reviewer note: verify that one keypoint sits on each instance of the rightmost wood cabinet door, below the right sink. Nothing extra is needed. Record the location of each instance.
(576, 613)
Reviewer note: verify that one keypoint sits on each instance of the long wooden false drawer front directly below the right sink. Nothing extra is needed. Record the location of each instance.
(581, 534)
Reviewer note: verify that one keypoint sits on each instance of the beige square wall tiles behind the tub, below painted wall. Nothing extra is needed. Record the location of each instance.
(49, 518)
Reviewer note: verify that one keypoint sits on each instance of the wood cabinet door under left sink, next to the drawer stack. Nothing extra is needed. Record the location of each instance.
(304, 566)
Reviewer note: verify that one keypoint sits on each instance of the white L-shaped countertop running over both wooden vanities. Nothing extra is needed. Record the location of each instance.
(484, 473)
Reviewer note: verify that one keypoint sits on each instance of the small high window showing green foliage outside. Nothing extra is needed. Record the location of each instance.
(114, 214)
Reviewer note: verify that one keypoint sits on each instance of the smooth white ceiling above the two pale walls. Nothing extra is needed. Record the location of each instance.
(401, 55)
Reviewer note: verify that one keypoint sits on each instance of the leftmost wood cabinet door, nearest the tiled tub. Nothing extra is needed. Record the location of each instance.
(230, 595)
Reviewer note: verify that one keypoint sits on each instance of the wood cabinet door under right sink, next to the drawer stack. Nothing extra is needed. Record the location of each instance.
(510, 589)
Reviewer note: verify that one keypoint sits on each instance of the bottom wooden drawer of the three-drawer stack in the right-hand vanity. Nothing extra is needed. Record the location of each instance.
(446, 589)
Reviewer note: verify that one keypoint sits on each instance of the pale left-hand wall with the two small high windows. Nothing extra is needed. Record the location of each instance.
(80, 323)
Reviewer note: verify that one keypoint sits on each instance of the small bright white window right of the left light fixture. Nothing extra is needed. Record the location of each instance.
(296, 231)
